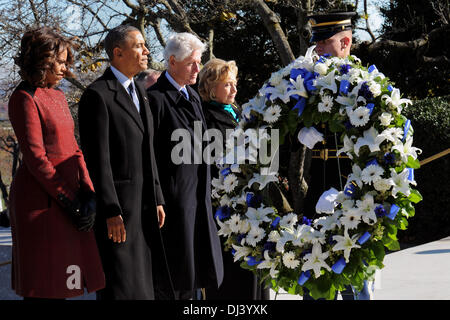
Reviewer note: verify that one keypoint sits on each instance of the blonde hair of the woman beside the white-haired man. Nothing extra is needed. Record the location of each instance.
(214, 71)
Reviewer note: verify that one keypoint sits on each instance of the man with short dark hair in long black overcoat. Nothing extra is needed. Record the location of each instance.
(116, 131)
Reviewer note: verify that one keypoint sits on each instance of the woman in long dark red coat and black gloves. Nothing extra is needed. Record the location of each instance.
(52, 204)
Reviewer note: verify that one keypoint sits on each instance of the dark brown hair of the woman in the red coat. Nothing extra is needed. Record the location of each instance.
(39, 49)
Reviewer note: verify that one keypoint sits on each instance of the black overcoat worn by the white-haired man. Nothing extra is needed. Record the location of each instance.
(190, 234)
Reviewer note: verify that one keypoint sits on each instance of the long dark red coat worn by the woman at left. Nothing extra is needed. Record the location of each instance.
(45, 241)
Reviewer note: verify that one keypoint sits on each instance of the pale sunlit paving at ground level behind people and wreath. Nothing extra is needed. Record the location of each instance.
(416, 273)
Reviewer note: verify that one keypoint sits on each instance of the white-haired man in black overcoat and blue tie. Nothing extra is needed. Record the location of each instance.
(190, 234)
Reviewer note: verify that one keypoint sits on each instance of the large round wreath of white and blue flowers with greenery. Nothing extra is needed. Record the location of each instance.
(346, 244)
